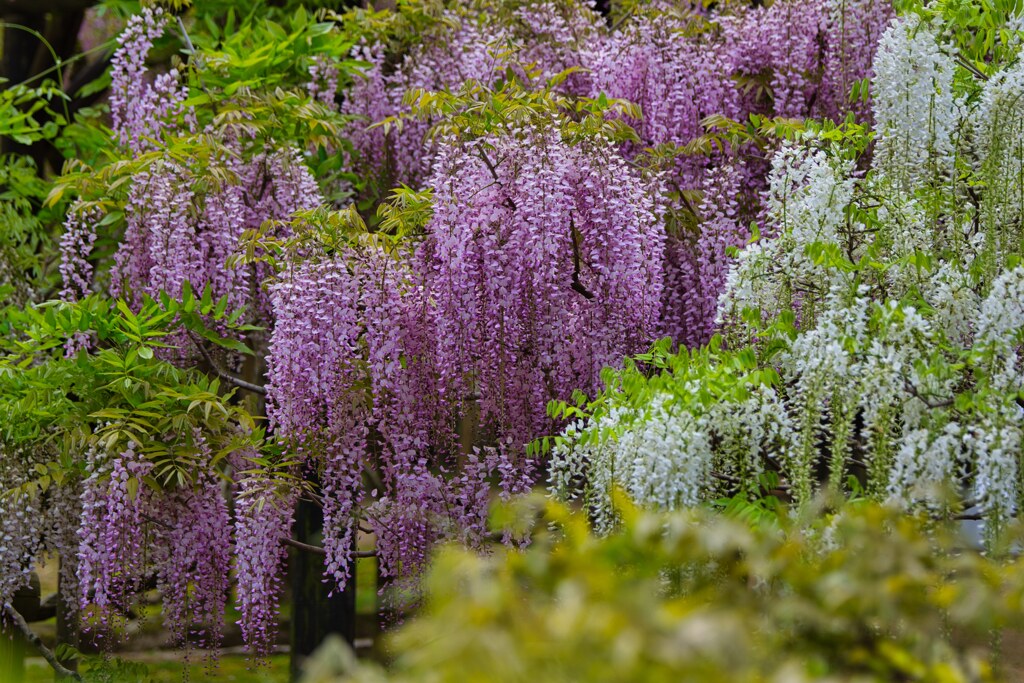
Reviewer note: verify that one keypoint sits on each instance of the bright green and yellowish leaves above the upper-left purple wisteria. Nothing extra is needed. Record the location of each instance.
(247, 77)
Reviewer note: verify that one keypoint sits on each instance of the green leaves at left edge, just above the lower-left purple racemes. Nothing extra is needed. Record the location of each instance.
(56, 408)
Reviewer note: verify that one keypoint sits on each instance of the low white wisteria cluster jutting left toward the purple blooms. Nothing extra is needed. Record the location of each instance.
(668, 453)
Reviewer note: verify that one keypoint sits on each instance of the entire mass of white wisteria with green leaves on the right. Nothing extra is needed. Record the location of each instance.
(872, 339)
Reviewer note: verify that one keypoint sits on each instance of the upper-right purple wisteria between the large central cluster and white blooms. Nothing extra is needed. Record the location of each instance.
(684, 67)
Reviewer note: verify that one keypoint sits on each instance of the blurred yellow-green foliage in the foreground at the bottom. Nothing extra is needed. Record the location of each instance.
(865, 594)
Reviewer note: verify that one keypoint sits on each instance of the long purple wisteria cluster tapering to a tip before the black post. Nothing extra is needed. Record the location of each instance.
(319, 403)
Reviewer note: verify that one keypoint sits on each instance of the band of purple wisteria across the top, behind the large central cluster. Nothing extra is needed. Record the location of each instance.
(792, 60)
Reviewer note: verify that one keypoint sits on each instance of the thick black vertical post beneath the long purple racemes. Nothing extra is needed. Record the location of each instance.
(315, 615)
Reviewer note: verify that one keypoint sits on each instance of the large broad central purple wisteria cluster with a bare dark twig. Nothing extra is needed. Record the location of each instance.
(545, 263)
